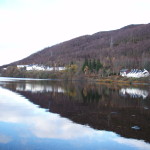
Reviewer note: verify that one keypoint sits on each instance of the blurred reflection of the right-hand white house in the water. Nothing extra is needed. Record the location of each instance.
(134, 92)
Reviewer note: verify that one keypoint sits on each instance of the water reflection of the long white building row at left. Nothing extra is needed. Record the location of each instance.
(34, 88)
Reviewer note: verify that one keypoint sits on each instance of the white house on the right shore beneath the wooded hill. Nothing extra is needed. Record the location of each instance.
(134, 73)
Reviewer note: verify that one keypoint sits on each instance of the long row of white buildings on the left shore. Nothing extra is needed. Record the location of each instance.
(40, 67)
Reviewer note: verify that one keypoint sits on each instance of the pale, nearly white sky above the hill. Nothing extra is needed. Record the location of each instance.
(27, 26)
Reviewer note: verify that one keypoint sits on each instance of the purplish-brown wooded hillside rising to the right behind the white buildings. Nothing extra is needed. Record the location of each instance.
(126, 47)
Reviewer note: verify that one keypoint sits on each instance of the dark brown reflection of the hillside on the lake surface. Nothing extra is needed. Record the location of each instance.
(99, 107)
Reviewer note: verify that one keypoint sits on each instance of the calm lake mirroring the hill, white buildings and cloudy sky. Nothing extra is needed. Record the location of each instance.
(61, 115)
